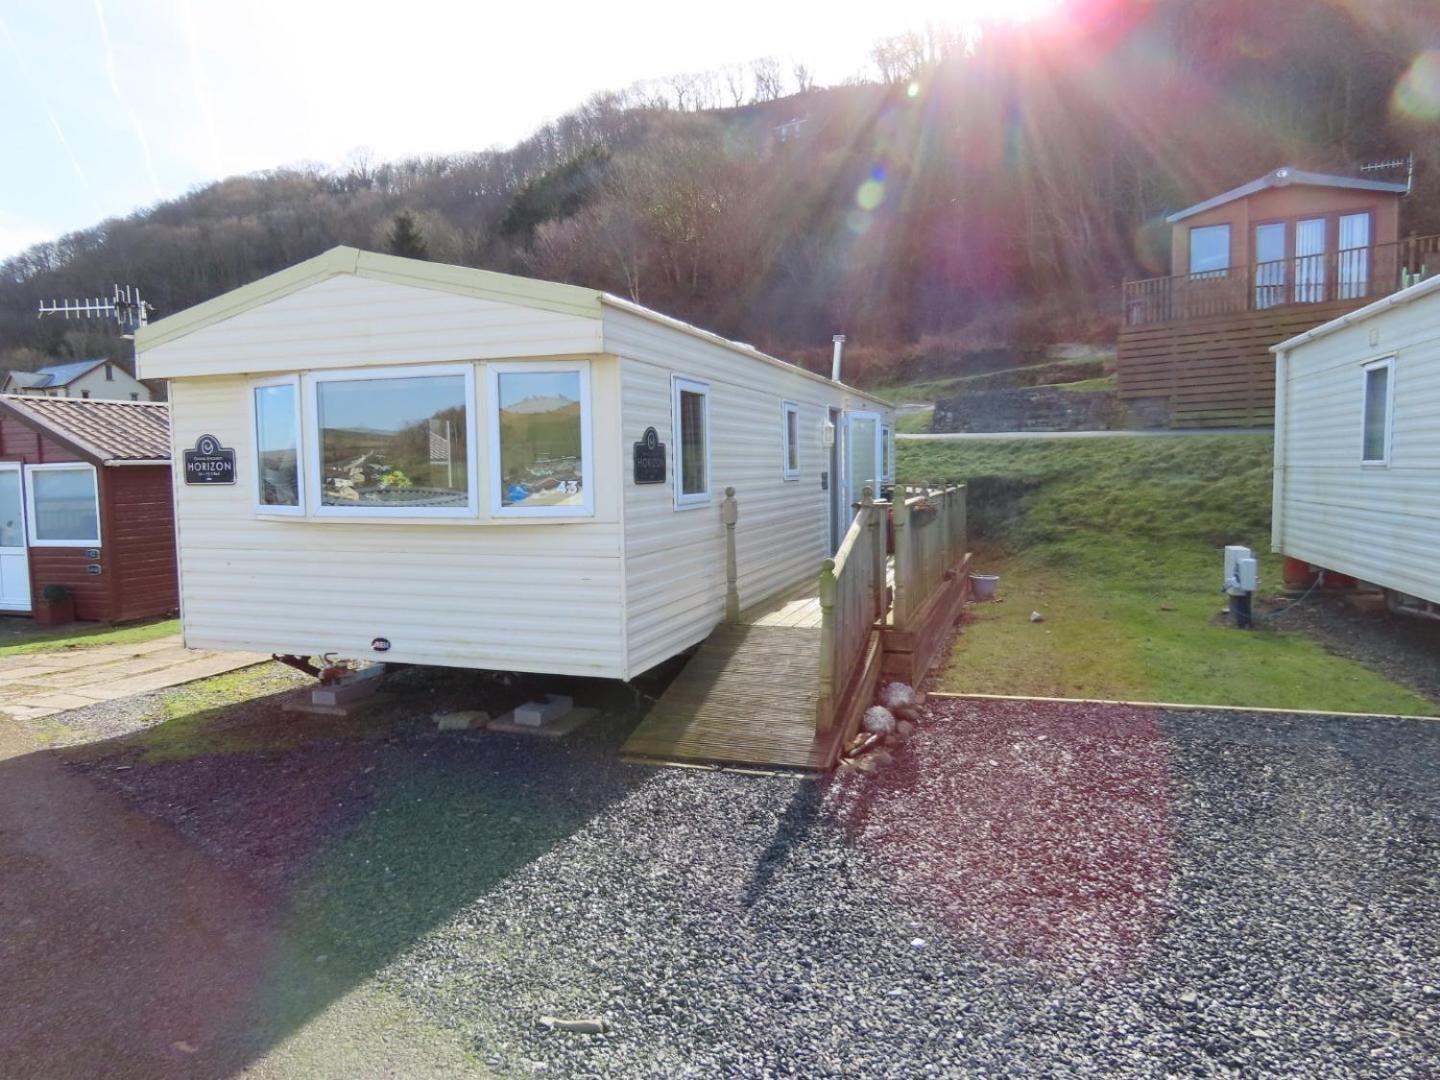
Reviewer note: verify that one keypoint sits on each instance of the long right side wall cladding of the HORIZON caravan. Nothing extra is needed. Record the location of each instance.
(675, 559)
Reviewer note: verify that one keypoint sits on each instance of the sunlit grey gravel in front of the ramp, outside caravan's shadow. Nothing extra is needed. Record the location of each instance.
(1025, 891)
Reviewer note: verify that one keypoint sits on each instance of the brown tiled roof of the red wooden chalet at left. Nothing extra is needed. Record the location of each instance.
(99, 428)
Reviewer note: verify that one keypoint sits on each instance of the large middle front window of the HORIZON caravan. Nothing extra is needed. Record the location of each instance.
(395, 443)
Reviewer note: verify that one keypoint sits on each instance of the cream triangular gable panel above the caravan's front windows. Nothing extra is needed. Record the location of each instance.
(348, 322)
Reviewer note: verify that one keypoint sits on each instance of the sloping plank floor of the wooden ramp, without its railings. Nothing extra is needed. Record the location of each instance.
(747, 698)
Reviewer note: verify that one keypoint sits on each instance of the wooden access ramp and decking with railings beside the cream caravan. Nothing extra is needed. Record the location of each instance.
(786, 682)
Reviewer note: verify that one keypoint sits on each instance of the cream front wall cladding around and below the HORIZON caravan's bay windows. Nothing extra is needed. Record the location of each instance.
(505, 595)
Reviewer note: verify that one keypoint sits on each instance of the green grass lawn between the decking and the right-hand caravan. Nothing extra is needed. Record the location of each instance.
(1117, 542)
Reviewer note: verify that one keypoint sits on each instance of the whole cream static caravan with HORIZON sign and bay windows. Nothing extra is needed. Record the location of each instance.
(446, 466)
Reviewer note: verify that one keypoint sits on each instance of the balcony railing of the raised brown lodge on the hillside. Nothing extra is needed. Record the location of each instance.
(1351, 274)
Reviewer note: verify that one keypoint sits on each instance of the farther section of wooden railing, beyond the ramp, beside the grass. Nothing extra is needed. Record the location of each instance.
(930, 525)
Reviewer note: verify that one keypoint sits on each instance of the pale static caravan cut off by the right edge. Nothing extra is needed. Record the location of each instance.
(1357, 446)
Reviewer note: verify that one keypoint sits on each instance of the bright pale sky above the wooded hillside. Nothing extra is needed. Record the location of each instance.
(112, 106)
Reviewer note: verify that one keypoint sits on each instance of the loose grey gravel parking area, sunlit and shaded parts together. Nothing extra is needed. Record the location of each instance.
(1025, 891)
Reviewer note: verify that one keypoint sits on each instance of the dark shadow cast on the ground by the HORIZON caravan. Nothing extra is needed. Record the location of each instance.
(205, 892)
